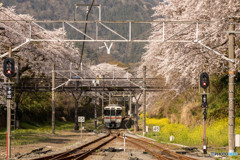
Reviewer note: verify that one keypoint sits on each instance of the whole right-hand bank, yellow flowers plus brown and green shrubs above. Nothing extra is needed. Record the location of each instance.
(191, 133)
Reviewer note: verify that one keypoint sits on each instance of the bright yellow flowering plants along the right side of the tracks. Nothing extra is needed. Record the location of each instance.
(217, 132)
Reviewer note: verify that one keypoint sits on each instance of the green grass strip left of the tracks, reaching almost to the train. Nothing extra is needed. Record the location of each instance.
(33, 133)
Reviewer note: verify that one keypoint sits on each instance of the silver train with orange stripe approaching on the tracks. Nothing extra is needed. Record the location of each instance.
(114, 115)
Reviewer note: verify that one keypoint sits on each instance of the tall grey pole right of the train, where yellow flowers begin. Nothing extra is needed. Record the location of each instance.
(144, 100)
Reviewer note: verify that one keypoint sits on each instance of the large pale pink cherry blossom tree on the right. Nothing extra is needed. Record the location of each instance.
(182, 63)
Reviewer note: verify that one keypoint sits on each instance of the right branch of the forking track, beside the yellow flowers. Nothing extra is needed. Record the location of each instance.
(156, 150)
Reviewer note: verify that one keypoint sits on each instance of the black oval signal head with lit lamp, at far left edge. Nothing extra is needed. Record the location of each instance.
(9, 67)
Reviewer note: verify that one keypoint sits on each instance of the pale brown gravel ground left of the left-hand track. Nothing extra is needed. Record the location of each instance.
(62, 141)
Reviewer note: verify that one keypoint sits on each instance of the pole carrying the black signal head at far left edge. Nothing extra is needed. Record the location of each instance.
(9, 119)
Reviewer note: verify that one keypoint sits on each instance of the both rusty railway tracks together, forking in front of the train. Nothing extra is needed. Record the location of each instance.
(87, 149)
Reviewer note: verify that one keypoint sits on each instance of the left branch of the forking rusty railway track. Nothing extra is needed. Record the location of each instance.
(82, 151)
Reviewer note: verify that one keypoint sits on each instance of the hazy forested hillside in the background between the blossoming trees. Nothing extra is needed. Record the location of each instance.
(111, 10)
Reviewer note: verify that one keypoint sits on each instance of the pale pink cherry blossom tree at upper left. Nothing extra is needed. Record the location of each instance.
(37, 56)
